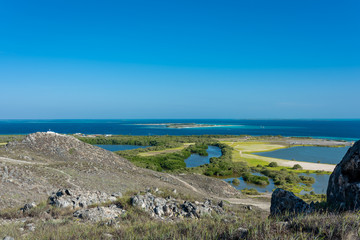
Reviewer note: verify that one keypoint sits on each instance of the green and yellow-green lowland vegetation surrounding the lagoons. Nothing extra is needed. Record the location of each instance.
(167, 153)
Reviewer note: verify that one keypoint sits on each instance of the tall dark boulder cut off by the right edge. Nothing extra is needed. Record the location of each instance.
(343, 191)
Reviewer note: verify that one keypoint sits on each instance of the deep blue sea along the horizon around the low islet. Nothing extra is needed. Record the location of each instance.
(334, 129)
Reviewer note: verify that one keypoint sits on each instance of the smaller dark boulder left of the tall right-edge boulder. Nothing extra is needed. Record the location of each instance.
(284, 202)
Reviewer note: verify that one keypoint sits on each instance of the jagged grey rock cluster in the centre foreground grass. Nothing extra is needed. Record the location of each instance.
(165, 208)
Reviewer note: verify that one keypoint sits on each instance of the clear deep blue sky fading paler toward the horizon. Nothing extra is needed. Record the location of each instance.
(179, 59)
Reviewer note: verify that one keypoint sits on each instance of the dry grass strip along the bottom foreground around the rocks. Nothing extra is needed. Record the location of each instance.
(138, 225)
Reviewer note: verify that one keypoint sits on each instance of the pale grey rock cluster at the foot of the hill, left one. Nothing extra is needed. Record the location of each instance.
(79, 199)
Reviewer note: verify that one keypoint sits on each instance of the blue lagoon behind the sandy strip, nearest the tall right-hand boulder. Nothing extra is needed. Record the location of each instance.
(329, 155)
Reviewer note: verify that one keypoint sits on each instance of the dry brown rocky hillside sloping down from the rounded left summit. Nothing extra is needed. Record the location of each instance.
(43, 162)
